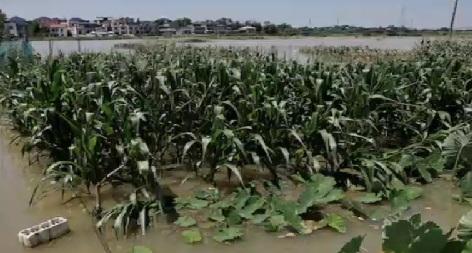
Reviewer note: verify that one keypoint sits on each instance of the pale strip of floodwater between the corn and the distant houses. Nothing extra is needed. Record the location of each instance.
(288, 47)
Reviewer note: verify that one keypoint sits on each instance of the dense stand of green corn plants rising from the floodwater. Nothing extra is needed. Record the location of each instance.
(110, 119)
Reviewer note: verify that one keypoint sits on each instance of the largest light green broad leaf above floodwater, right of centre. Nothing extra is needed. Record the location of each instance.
(320, 191)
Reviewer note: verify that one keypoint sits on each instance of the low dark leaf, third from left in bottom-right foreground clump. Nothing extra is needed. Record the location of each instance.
(432, 241)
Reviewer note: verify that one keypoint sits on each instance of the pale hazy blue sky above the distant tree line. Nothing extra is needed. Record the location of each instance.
(418, 13)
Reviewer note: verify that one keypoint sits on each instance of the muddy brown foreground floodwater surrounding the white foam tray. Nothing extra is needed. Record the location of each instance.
(17, 179)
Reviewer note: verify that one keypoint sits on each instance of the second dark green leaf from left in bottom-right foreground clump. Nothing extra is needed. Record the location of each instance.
(397, 237)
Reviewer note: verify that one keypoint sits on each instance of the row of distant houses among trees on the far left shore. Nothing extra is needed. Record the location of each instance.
(125, 26)
